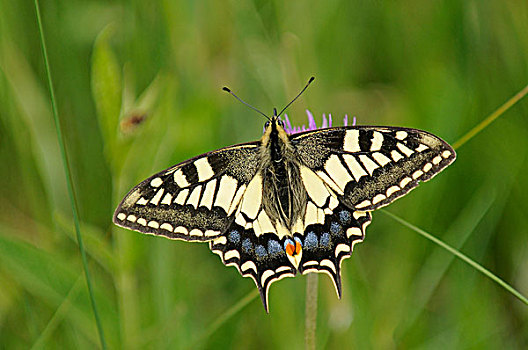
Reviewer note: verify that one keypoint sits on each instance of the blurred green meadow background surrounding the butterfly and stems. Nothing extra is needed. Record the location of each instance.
(442, 66)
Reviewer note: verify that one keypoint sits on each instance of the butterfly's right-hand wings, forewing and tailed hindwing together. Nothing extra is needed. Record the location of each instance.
(362, 168)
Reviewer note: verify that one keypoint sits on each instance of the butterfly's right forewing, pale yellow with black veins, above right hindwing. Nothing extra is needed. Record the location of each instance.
(369, 166)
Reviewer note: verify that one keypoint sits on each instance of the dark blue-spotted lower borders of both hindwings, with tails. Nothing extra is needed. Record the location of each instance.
(323, 246)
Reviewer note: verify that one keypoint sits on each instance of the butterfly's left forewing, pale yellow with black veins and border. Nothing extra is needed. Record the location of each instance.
(193, 200)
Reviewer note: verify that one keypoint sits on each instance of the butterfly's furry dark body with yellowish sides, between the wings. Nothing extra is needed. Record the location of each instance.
(284, 197)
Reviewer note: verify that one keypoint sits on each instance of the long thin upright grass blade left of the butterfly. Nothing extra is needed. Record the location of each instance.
(69, 180)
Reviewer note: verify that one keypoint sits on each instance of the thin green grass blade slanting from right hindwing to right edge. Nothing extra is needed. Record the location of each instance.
(459, 255)
